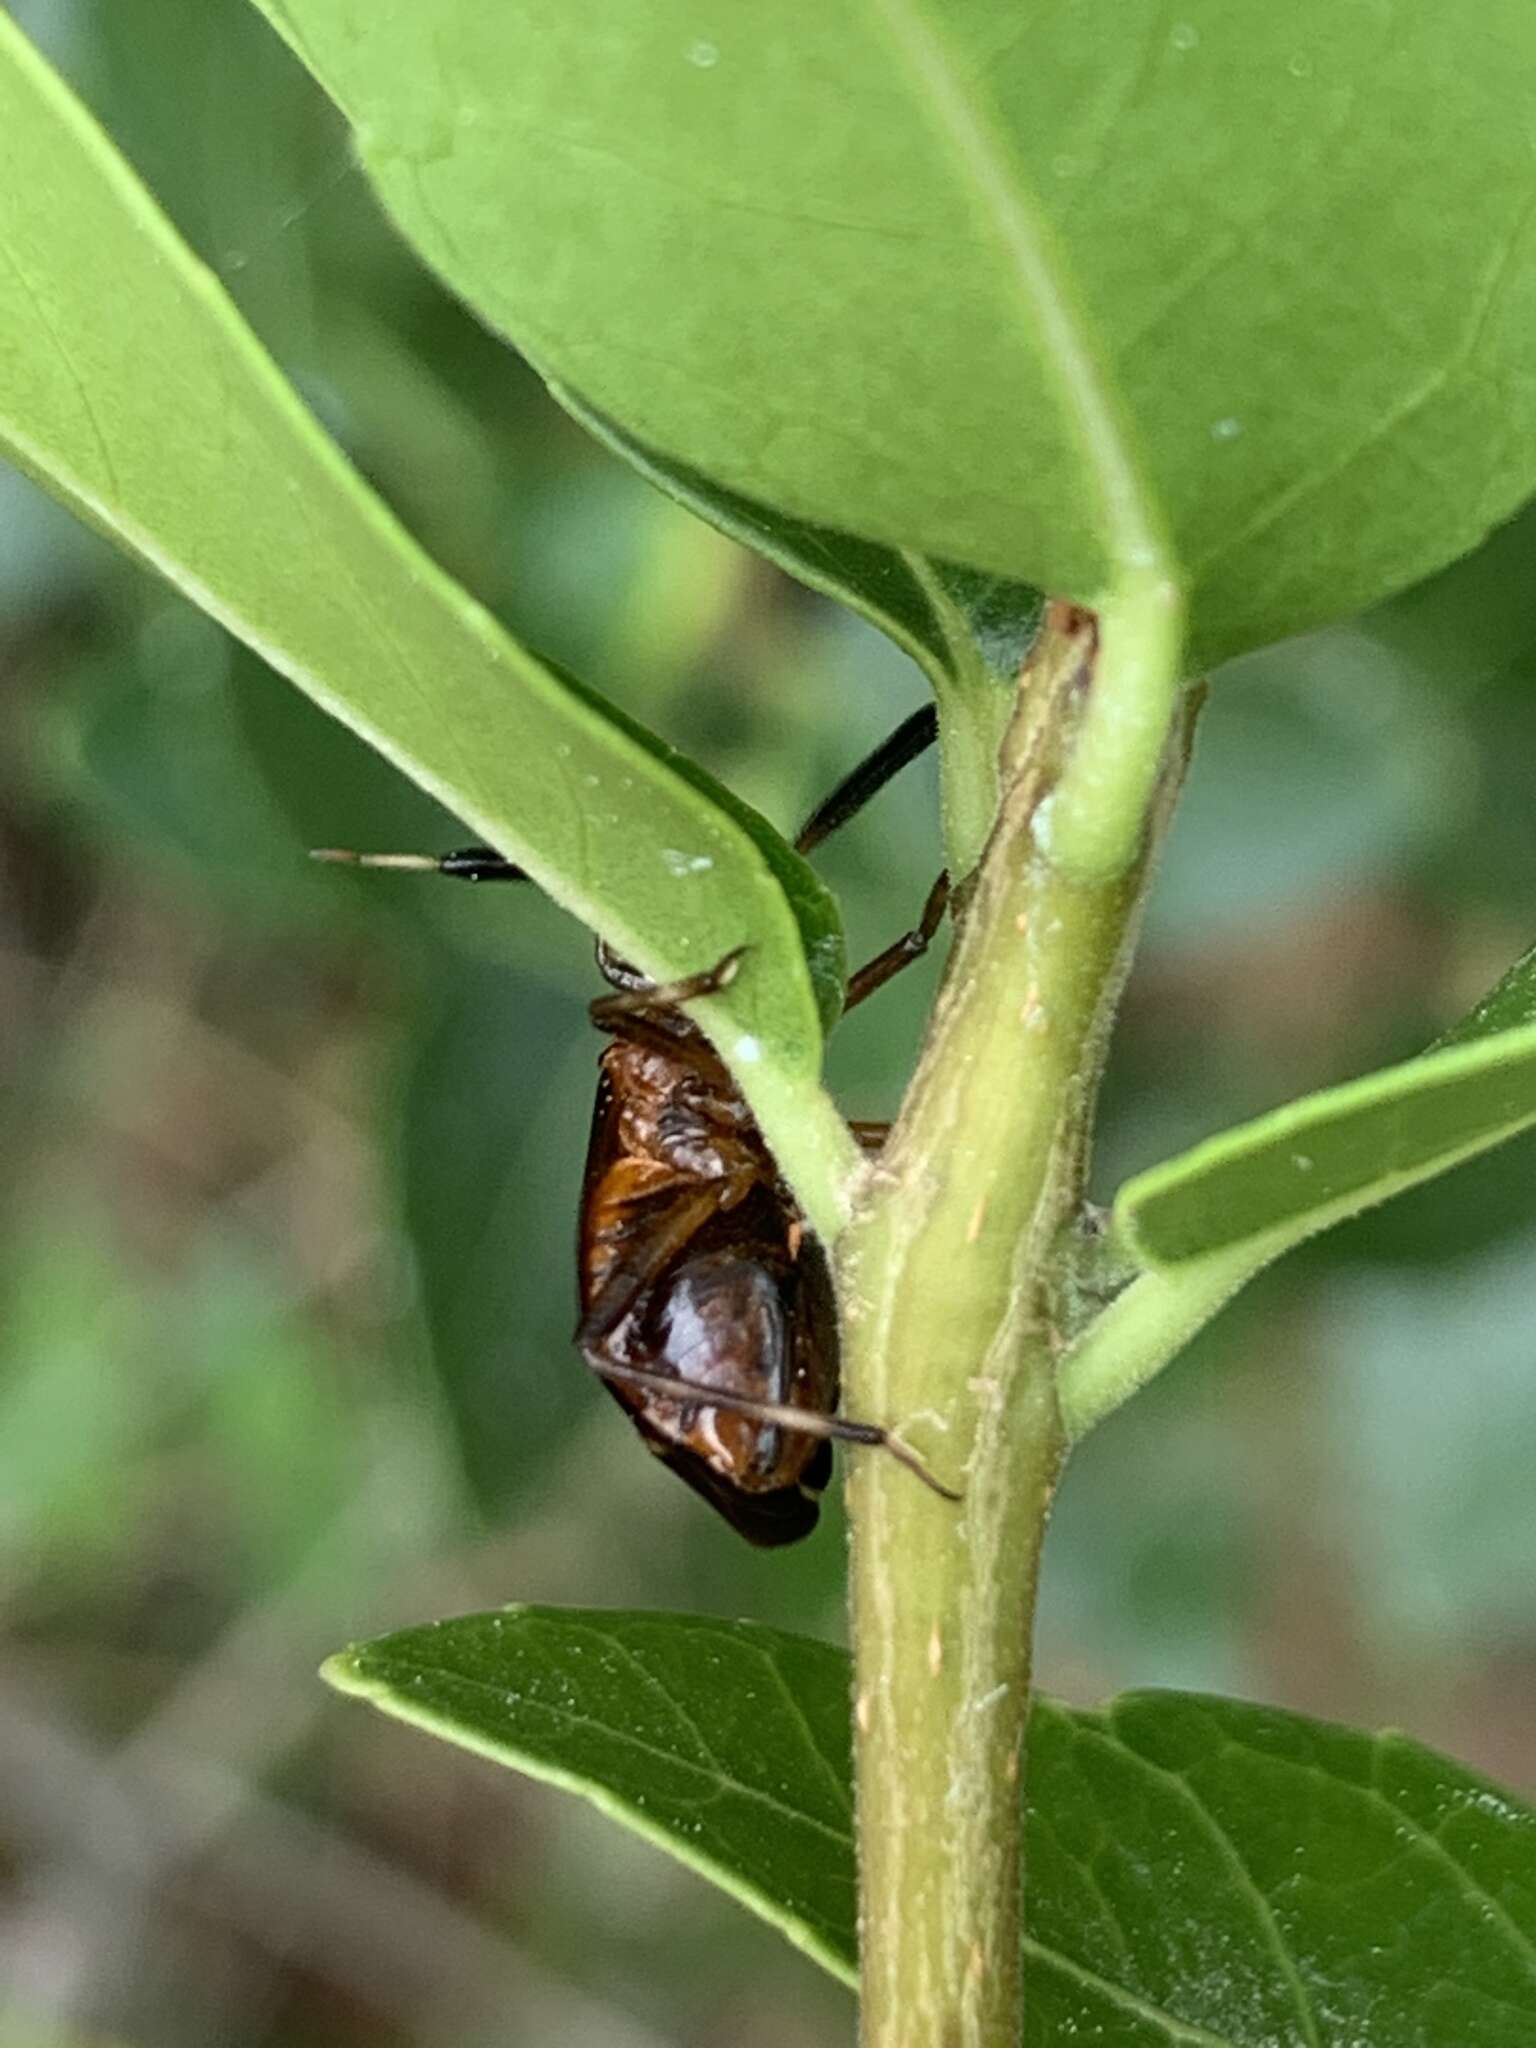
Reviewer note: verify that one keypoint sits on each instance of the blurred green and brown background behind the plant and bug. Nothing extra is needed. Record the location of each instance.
(292, 1160)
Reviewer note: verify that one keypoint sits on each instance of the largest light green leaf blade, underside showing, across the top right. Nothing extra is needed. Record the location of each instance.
(1023, 288)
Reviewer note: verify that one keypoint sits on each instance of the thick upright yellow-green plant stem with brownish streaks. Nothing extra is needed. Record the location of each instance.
(949, 1283)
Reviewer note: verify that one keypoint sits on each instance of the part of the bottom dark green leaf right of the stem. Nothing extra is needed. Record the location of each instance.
(1258, 1877)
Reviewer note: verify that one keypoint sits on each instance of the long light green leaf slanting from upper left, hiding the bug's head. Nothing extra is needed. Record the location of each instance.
(132, 390)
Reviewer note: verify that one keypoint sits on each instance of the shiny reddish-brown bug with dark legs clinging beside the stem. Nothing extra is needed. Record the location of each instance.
(697, 1271)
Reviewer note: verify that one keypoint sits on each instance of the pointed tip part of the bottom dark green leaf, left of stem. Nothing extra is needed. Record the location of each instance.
(722, 1742)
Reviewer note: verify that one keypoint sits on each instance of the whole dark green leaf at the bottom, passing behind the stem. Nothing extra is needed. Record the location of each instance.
(1199, 1871)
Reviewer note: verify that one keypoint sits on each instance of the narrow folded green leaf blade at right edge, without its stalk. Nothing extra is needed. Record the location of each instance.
(1328, 1156)
